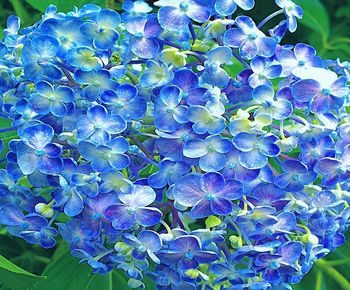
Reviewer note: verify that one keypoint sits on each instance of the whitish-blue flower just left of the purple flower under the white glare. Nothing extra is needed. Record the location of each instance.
(278, 109)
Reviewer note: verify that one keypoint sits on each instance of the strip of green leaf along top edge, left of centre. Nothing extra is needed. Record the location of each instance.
(63, 5)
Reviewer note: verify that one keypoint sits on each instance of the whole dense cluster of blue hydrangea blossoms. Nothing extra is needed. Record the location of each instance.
(140, 147)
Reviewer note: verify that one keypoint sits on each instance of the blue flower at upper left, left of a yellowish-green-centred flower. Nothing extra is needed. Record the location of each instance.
(38, 58)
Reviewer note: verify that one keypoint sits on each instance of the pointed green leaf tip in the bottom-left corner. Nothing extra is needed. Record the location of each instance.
(14, 277)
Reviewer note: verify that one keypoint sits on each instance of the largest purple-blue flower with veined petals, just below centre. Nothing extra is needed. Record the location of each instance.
(207, 194)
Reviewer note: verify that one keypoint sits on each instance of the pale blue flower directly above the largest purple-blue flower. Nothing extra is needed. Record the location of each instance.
(210, 151)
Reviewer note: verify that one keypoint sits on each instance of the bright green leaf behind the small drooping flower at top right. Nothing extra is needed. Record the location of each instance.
(315, 17)
